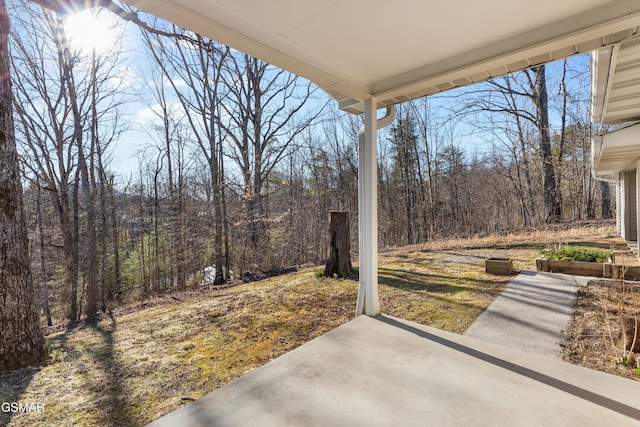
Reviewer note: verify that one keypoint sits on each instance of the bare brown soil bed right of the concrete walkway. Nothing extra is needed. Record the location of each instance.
(605, 309)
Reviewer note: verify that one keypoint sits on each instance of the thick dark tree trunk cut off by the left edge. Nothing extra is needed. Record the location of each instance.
(21, 340)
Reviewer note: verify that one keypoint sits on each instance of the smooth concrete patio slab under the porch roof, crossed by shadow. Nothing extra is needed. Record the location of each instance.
(389, 372)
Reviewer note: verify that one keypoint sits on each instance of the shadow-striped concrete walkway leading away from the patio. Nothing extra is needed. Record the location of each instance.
(532, 313)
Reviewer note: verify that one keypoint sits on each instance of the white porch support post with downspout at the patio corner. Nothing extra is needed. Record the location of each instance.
(368, 210)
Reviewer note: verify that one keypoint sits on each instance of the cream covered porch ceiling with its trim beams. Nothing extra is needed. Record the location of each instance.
(405, 49)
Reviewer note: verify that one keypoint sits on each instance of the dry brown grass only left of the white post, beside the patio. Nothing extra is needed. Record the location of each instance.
(130, 369)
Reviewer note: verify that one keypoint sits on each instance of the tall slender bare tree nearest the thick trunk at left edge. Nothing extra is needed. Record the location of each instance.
(43, 113)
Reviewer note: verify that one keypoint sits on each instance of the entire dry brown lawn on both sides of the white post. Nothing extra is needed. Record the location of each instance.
(136, 366)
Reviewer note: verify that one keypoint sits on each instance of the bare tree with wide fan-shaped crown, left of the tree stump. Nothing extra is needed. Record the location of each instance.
(263, 116)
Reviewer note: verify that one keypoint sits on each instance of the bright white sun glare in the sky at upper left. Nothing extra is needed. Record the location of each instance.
(88, 29)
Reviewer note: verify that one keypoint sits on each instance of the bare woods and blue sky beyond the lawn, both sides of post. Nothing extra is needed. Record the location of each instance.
(242, 161)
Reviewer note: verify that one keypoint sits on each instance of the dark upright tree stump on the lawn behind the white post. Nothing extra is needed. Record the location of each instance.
(339, 259)
